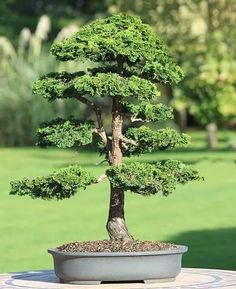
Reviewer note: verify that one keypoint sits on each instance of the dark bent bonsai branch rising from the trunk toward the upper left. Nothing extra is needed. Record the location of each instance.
(100, 129)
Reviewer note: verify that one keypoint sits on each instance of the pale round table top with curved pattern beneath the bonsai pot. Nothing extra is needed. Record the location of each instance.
(189, 278)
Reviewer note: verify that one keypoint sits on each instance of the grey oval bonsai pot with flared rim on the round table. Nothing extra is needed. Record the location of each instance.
(94, 268)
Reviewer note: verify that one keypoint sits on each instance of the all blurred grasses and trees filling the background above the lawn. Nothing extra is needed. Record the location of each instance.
(200, 33)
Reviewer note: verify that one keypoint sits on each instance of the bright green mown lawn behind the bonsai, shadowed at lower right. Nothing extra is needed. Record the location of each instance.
(201, 215)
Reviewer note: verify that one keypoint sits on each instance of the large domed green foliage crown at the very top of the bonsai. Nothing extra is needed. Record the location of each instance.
(121, 37)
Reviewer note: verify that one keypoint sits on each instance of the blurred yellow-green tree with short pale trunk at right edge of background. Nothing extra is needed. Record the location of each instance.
(209, 90)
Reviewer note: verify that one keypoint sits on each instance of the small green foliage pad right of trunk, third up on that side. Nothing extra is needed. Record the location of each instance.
(149, 112)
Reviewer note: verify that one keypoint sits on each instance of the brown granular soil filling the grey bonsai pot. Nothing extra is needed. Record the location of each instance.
(115, 246)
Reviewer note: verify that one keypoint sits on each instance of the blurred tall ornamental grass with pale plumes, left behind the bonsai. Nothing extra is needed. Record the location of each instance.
(20, 111)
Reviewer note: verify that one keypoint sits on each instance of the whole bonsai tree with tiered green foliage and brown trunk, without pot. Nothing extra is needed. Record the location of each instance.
(128, 62)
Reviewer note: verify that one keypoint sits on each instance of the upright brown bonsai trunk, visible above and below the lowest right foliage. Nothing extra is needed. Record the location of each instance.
(116, 226)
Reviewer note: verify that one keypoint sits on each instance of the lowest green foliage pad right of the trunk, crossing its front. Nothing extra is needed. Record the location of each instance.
(148, 179)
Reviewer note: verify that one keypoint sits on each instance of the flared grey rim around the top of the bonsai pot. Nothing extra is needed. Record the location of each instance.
(179, 250)
